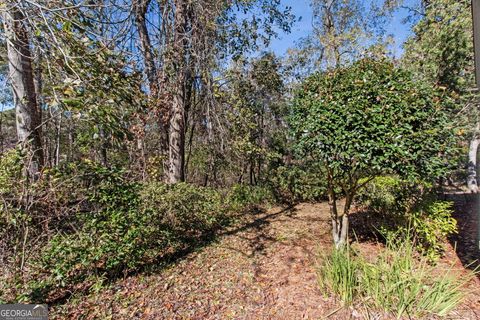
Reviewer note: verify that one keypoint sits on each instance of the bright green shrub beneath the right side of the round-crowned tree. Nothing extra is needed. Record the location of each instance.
(400, 205)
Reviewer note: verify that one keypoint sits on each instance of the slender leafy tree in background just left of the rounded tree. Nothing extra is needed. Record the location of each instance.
(255, 95)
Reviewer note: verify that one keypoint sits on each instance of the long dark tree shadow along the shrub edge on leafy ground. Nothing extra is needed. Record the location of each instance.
(241, 222)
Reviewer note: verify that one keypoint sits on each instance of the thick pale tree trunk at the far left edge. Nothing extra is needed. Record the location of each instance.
(27, 111)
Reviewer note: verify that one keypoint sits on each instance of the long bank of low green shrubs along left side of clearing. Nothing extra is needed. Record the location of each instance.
(102, 225)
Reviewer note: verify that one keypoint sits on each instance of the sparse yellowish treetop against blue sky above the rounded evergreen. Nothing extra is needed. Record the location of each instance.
(342, 32)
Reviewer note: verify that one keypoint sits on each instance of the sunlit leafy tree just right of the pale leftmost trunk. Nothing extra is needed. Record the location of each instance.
(98, 96)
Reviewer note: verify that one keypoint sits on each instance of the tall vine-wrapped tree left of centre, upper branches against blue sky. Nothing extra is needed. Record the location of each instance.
(191, 38)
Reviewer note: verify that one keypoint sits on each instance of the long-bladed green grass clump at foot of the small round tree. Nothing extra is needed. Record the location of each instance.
(396, 281)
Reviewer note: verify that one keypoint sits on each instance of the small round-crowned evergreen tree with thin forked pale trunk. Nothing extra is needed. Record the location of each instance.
(367, 120)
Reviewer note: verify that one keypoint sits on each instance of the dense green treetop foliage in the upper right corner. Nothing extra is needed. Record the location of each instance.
(441, 49)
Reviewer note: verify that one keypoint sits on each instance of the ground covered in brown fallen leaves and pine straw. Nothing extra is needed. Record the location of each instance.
(261, 268)
